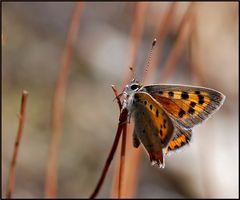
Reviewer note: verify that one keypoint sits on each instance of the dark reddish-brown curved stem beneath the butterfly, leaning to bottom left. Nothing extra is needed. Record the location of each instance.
(121, 125)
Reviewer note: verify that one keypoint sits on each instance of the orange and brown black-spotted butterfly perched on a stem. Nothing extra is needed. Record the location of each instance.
(164, 115)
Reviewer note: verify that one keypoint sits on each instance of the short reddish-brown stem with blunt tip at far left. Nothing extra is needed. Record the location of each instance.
(16, 146)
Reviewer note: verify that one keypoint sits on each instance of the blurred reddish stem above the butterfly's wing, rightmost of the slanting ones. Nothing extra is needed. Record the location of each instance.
(183, 32)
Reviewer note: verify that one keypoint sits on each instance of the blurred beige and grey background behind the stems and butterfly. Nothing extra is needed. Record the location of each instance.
(33, 39)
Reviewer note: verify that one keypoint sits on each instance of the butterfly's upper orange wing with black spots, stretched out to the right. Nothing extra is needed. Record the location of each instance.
(187, 105)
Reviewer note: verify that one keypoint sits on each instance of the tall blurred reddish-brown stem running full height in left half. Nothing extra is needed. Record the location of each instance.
(58, 103)
